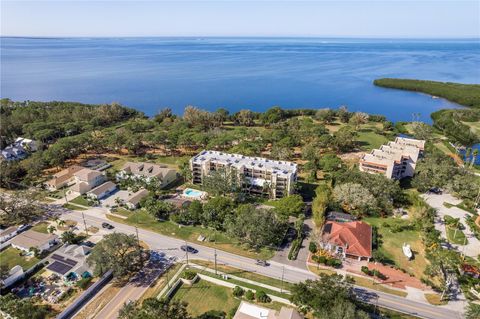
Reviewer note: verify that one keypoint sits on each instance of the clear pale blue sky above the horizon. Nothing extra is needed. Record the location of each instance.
(381, 18)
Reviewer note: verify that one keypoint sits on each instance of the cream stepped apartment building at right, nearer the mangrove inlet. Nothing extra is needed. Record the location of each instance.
(394, 160)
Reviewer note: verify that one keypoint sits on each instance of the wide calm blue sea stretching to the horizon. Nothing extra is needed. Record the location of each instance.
(235, 73)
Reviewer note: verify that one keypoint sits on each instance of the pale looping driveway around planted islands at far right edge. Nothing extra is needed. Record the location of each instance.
(472, 248)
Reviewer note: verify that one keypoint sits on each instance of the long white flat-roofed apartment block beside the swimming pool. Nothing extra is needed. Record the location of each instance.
(260, 176)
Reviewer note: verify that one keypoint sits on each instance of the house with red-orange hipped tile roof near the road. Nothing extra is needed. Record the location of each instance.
(351, 239)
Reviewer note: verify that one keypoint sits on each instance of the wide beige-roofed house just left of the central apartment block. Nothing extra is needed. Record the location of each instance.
(148, 172)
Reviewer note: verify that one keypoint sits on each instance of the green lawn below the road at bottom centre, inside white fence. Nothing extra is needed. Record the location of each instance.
(204, 296)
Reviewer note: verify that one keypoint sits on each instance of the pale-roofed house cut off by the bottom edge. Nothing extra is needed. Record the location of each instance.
(250, 311)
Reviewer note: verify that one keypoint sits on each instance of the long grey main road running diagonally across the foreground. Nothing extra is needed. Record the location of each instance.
(171, 246)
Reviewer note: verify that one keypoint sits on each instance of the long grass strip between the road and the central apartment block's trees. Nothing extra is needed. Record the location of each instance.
(144, 220)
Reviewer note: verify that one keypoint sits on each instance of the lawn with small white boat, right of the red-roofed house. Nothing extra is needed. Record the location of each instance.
(392, 243)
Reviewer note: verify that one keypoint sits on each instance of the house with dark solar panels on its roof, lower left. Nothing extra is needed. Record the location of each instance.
(70, 261)
